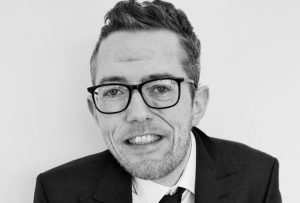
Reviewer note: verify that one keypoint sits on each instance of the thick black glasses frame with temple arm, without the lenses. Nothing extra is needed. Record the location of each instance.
(138, 87)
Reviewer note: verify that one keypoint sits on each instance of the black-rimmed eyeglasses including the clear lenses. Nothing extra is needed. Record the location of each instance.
(158, 94)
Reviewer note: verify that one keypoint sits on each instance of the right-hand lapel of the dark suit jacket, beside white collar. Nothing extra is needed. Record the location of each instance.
(216, 181)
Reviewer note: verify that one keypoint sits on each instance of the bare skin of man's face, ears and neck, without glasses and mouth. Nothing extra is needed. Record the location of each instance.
(135, 56)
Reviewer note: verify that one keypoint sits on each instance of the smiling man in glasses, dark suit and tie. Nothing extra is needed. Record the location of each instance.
(146, 100)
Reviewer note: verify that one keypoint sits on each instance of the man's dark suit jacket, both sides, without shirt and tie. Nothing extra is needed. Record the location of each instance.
(225, 172)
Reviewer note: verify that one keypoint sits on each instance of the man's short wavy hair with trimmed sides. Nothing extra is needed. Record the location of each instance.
(131, 15)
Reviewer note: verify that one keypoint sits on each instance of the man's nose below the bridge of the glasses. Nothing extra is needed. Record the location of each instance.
(137, 111)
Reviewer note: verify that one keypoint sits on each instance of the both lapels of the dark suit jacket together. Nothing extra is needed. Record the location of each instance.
(216, 180)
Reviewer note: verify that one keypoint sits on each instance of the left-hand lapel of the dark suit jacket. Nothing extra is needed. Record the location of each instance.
(114, 187)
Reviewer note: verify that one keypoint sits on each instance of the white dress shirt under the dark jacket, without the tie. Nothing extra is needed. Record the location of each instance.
(146, 191)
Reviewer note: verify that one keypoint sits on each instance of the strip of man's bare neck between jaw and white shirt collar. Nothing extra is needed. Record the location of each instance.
(173, 177)
